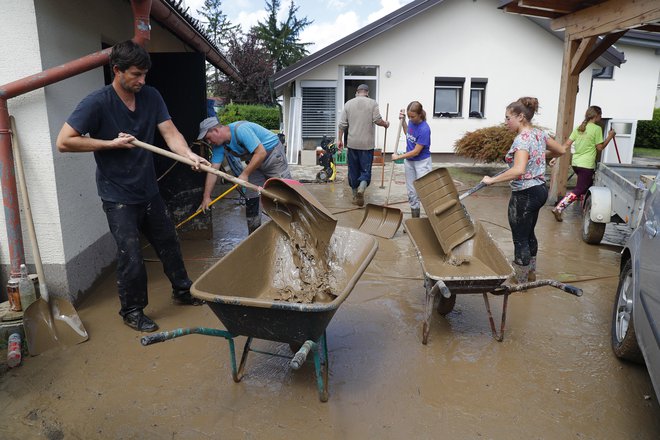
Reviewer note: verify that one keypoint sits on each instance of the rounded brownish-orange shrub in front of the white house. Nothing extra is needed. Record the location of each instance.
(488, 144)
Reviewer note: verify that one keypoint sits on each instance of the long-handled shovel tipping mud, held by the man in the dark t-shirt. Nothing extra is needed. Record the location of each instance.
(286, 201)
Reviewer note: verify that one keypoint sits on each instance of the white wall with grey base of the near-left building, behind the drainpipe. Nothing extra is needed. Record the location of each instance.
(72, 230)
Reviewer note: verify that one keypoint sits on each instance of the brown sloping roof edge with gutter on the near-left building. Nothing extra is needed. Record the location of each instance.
(176, 19)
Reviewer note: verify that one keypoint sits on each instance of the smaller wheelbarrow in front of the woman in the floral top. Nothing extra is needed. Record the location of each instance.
(475, 266)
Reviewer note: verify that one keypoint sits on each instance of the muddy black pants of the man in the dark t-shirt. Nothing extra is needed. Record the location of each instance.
(150, 218)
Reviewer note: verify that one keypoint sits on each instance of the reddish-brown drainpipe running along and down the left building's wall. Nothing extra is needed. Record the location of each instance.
(141, 9)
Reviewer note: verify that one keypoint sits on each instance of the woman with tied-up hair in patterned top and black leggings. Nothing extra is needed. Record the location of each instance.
(526, 161)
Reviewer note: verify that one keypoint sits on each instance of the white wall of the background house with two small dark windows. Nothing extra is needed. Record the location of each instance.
(474, 39)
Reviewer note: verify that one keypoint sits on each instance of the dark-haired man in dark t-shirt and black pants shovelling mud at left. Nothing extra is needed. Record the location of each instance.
(106, 122)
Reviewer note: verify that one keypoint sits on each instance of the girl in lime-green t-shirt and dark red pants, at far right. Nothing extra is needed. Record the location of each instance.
(588, 140)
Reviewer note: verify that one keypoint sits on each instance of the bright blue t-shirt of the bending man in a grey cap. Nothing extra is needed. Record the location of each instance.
(245, 138)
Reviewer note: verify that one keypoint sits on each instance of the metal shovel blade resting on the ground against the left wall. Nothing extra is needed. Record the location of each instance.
(52, 324)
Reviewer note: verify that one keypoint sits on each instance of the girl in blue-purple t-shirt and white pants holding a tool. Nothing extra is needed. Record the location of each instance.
(417, 157)
